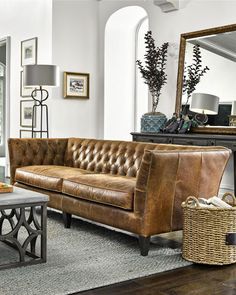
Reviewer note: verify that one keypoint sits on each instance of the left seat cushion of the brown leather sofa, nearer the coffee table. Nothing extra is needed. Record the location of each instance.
(47, 177)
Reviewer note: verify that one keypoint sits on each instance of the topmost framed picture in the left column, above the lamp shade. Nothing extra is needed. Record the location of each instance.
(29, 52)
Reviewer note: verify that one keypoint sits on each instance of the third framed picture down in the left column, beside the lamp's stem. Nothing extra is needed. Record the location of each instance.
(26, 113)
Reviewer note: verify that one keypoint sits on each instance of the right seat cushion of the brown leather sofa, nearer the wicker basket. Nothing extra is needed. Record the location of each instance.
(107, 189)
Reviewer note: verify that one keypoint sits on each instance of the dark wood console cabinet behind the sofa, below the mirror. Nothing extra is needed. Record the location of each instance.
(226, 140)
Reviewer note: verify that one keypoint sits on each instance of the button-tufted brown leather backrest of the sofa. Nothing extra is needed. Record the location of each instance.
(107, 156)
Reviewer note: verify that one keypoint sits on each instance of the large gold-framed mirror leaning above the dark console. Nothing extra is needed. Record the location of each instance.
(218, 50)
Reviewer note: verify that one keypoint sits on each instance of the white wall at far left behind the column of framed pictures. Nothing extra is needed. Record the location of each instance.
(22, 20)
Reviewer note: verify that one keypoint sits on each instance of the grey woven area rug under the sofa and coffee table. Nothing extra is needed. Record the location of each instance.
(83, 257)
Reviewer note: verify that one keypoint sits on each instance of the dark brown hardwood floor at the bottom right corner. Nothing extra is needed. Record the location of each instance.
(191, 280)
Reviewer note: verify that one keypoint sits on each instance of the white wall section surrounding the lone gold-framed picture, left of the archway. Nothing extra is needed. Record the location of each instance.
(75, 49)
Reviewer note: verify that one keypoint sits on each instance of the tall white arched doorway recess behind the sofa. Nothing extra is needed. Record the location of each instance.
(126, 96)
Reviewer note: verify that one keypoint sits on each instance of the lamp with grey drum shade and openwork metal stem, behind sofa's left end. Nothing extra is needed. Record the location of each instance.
(39, 76)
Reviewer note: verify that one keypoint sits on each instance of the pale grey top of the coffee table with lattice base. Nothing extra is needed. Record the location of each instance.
(21, 196)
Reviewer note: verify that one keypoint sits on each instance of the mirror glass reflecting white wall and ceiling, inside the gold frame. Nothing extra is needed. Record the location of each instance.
(219, 54)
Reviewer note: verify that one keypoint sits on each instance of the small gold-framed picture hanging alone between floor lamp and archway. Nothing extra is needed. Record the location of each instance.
(76, 85)
